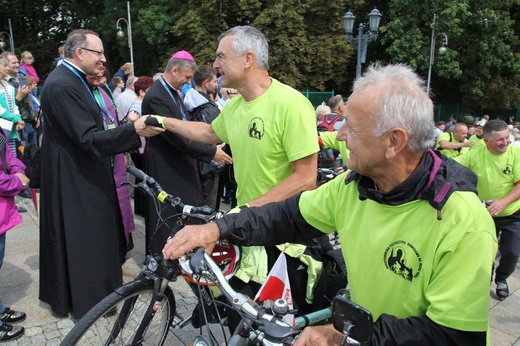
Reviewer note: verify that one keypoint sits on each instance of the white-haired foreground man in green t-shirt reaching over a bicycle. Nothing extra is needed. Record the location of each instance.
(418, 243)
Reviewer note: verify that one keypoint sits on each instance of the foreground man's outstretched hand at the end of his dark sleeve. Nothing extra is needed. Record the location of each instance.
(191, 237)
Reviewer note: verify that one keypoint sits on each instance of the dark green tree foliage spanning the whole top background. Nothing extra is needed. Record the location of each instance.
(306, 39)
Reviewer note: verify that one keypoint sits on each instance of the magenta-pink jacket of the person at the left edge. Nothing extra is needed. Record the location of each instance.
(10, 186)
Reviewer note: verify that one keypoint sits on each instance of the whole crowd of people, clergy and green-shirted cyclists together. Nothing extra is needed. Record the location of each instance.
(403, 197)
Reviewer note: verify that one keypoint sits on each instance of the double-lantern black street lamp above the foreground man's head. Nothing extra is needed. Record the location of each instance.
(363, 39)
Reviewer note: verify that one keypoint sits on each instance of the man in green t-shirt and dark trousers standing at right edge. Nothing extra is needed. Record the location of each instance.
(497, 165)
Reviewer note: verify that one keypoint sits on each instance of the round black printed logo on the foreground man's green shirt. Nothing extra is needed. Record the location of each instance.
(403, 259)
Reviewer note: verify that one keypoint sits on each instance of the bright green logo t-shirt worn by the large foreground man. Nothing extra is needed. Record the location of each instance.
(404, 261)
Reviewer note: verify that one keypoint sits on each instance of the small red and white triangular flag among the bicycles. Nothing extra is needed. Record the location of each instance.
(277, 286)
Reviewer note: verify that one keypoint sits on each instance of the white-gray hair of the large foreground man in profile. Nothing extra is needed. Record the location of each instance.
(403, 103)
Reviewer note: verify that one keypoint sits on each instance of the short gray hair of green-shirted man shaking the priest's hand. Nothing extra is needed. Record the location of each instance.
(248, 38)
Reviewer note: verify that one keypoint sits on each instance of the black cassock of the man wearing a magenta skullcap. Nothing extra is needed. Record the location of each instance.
(171, 160)
